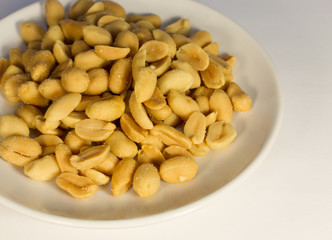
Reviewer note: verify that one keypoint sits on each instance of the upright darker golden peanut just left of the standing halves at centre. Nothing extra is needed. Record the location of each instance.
(120, 76)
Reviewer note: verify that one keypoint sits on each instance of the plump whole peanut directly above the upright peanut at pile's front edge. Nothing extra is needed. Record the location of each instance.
(121, 146)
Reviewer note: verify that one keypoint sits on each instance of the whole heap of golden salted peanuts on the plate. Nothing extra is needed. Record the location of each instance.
(105, 97)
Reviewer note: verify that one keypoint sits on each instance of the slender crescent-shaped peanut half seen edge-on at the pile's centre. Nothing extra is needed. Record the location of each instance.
(139, 113)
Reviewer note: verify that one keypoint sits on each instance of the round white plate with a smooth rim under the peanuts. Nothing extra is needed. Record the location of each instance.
(219, 170)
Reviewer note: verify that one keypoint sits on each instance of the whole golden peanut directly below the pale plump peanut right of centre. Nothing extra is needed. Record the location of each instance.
(182, 105)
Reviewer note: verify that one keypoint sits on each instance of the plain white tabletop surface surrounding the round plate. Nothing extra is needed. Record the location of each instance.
(290, 195)
